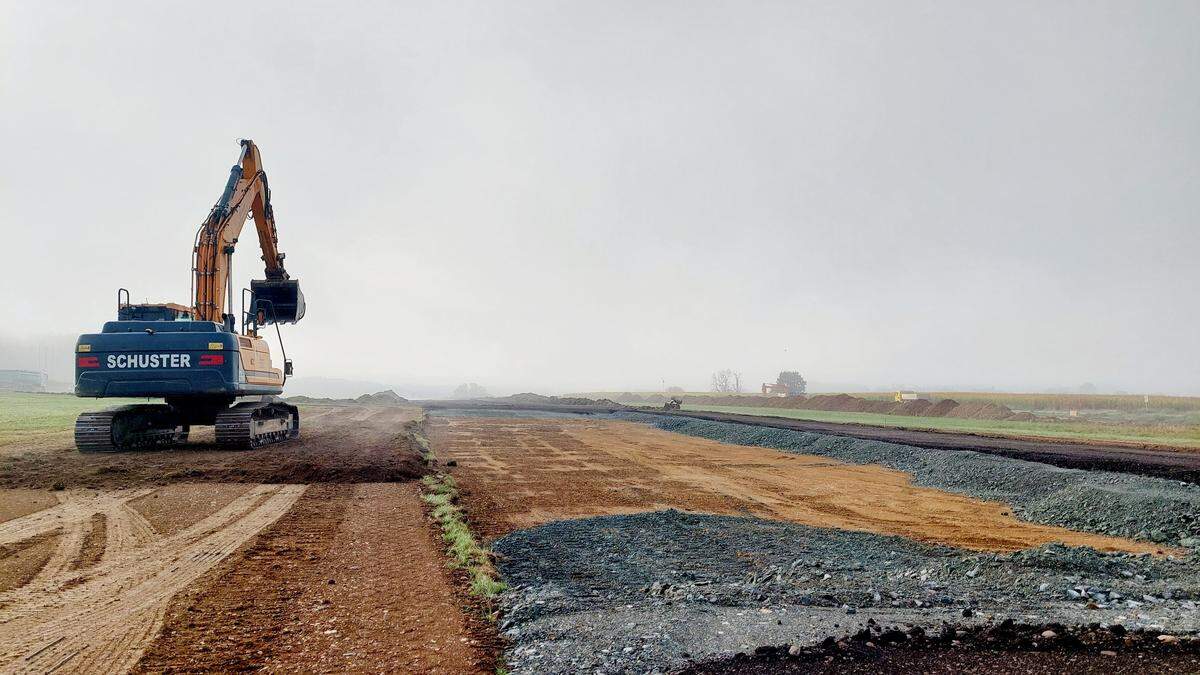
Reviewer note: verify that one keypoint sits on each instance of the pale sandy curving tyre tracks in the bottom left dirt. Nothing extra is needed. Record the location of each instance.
(103, 619)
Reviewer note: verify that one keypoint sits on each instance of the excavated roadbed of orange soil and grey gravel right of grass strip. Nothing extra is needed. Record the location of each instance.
(646, 545)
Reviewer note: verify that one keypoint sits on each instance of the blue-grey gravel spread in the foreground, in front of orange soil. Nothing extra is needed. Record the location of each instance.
(656, 592)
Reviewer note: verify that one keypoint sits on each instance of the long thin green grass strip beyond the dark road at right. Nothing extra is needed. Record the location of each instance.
(1161, 435)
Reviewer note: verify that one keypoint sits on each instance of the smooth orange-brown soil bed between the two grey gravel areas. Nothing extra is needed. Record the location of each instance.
(515, 474)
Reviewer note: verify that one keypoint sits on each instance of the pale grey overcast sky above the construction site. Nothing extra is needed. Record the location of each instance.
(580, 196)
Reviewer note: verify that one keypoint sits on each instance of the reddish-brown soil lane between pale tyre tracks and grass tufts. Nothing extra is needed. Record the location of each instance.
(350, 581)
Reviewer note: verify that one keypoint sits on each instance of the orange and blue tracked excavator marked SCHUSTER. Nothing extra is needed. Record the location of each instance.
(194, 357)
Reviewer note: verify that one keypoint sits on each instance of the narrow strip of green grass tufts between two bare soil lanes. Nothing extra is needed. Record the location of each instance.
(466, 553)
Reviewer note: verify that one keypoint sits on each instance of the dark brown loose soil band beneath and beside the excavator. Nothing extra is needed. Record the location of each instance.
(338, 445)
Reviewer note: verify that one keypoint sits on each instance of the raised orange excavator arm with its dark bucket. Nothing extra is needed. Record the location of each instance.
(247, 194)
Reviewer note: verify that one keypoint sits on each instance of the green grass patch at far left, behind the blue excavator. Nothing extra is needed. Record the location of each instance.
(29, 419)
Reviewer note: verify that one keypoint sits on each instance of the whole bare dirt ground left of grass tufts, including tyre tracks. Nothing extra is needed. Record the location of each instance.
(314, 555)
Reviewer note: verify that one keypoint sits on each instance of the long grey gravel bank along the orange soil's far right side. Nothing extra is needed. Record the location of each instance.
(1118, 505)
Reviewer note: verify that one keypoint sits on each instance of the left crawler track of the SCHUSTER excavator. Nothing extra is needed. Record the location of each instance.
(129, 428)
